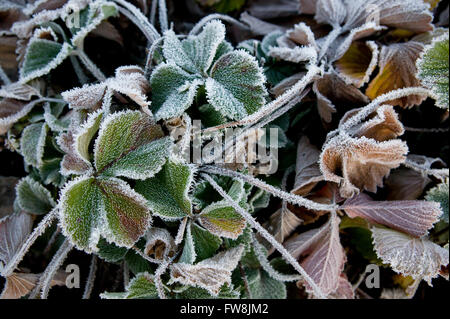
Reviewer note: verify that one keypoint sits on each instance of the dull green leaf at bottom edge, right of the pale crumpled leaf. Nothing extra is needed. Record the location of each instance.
(262, 286)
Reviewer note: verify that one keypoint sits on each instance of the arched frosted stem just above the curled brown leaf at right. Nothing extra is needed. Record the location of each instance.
(372, 106)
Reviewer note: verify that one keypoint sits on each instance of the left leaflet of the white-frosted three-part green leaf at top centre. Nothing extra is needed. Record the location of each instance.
(173, 90)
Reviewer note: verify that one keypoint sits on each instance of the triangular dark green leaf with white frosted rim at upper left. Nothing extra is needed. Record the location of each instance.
(41, 57)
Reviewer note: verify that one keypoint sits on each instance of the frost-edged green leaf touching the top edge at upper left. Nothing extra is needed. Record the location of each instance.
(90, 18)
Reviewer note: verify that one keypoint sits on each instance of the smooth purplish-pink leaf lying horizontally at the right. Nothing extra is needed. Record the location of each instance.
(413, 217)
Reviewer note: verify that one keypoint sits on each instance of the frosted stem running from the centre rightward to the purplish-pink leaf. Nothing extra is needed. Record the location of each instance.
(291, 198)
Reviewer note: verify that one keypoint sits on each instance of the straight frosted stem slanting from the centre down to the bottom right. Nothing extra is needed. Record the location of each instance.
(264, 233)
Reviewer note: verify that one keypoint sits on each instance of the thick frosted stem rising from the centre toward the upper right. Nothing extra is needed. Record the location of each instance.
(271, 107)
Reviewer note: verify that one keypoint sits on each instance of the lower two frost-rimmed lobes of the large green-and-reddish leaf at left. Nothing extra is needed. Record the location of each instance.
(90, 208)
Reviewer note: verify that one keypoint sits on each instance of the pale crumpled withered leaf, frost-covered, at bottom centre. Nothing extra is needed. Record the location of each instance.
(210, 274)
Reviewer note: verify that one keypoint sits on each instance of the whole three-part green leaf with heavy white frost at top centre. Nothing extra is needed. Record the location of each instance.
(233, 80)
